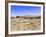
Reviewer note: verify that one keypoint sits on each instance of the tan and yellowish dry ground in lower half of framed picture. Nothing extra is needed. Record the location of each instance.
(22, 24)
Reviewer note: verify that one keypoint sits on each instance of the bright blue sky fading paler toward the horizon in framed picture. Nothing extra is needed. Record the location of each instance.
(25, 10)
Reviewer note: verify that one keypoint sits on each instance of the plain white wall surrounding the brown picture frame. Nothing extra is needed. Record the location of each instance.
(2, 19)
